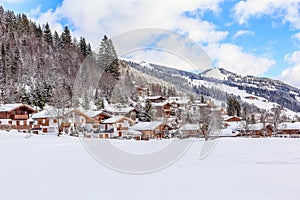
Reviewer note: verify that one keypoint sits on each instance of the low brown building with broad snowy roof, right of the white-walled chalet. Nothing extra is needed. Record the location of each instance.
(154, 129)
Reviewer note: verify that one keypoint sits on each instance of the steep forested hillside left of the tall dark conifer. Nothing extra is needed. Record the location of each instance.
(35, 60)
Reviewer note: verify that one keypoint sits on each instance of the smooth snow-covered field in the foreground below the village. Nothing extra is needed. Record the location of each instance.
(49, 167)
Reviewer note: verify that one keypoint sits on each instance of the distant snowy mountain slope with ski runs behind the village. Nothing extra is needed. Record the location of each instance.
(218, 83)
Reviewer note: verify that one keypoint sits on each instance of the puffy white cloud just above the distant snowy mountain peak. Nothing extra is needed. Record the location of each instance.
(235, 59)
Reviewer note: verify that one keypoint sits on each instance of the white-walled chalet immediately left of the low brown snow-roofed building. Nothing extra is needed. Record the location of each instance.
(115, 127)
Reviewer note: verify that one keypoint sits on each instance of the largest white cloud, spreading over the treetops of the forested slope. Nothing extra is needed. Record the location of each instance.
(93, 18)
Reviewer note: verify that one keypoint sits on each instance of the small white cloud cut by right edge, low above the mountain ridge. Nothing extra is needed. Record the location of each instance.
(291, 74)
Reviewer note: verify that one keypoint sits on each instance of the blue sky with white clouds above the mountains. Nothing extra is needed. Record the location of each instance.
(254, 37)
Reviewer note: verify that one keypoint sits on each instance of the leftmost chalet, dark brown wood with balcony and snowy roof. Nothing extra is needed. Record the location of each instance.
(16, 116)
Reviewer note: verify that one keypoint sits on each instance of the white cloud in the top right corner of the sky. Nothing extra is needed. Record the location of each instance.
(288, 11)
